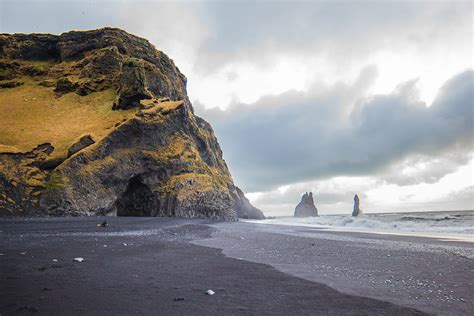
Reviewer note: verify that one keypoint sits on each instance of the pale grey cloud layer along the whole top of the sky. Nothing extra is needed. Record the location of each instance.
(213, 34)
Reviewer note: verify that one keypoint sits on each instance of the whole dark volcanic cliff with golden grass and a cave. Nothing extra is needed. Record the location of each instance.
(99, 122)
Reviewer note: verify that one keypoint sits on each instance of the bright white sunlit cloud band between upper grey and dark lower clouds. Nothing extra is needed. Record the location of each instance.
(245, 82)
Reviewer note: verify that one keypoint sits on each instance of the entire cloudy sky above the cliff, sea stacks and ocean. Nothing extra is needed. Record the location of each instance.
(337, 98)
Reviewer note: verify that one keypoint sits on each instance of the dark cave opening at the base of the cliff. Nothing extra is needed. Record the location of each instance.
(137, 200)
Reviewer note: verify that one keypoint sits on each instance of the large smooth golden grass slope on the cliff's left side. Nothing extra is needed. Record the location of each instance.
(31, 114)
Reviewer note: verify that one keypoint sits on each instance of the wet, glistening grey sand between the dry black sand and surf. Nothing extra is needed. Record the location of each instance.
(436, 276)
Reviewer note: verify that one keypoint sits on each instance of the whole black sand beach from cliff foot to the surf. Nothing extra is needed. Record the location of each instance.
(150, 266)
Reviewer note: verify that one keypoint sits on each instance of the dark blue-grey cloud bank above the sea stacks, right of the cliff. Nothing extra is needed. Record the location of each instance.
(300, 136)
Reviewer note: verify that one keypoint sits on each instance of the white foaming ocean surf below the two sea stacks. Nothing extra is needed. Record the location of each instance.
(449, 224)
